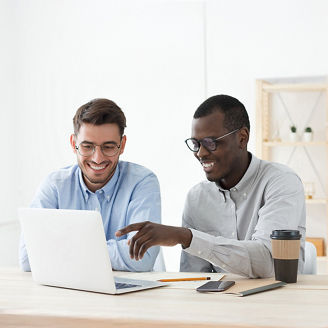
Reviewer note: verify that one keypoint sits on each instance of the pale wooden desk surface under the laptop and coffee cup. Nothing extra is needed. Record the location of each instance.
(23, 303)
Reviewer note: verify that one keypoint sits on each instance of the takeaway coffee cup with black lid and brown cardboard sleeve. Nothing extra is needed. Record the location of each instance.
(285, 253)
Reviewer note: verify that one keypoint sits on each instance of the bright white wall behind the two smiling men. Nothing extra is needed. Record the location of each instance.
(148, 56)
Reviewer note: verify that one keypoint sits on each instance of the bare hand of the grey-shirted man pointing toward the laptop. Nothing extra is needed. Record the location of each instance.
(153, 234)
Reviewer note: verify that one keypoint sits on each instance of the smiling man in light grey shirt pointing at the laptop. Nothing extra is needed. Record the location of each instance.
(228, 219)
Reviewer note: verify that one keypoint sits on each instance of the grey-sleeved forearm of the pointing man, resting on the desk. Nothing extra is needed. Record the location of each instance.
(249, 258)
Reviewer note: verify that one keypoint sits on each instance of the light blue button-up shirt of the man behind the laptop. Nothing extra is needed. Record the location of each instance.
(131, 195)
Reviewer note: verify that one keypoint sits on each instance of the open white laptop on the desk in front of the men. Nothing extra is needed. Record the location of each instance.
(67, 248)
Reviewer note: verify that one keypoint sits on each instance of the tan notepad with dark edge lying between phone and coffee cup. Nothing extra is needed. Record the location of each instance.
(247, 287)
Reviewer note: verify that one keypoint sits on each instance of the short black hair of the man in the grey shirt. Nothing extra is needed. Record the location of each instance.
(235, 114)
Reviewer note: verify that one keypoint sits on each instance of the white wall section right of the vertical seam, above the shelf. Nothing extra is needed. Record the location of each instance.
(260, 39)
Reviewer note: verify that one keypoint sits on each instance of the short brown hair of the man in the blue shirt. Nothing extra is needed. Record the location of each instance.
(99, 111)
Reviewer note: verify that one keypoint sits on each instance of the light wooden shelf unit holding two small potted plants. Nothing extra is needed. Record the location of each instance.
(265, 144)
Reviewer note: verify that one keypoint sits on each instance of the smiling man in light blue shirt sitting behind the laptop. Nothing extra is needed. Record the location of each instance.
(123, 192)
